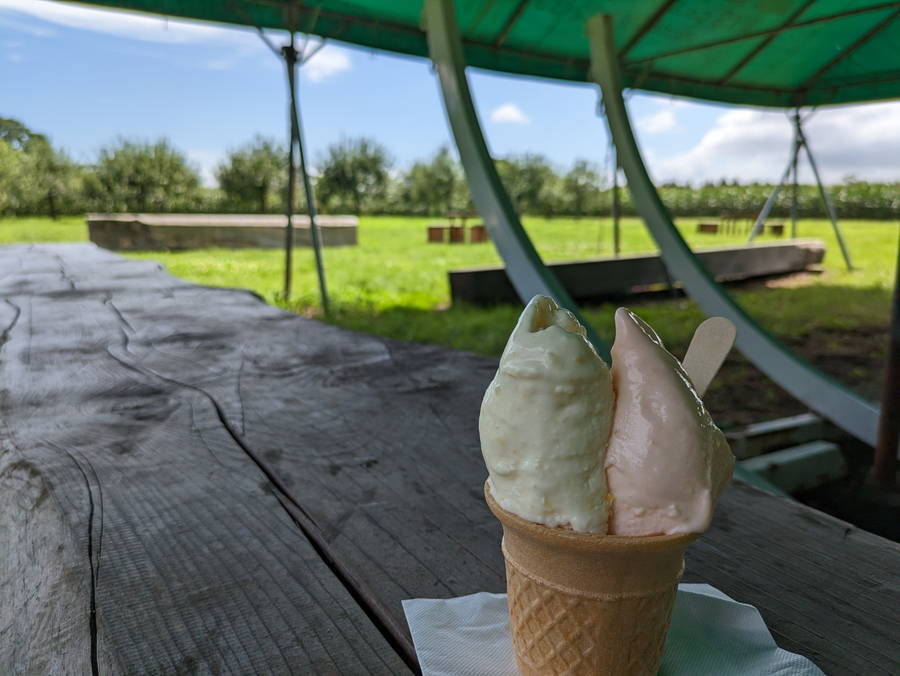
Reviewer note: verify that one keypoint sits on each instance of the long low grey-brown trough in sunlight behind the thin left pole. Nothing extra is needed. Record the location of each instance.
(172, 232)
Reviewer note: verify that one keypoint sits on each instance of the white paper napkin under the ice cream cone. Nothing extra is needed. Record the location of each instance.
(711, 634)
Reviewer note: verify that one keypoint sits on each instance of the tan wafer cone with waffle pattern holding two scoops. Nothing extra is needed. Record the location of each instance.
(582, 603)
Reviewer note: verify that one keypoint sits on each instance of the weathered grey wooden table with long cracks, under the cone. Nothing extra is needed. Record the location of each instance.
(193, 481)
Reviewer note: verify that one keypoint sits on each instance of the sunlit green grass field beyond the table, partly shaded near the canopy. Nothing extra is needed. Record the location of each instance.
(393, 281)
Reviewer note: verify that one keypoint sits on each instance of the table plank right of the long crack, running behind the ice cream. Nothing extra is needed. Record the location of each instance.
(375, 442)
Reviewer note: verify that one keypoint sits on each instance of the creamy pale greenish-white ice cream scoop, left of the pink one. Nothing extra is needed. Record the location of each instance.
(545, 421)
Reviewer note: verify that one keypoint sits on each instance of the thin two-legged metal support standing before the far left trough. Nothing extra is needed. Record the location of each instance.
(291, 59)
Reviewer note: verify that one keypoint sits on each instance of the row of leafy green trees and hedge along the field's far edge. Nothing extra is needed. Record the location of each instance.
(358, 176)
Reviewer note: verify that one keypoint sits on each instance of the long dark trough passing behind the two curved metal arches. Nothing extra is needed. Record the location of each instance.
(599, 278)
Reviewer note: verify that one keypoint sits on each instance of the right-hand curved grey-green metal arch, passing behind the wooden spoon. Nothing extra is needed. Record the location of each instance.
(847, 409)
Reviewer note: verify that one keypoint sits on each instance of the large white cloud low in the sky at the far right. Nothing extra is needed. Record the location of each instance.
(751, 144)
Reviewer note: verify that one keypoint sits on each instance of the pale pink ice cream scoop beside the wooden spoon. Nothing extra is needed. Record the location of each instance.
(667, 462)
